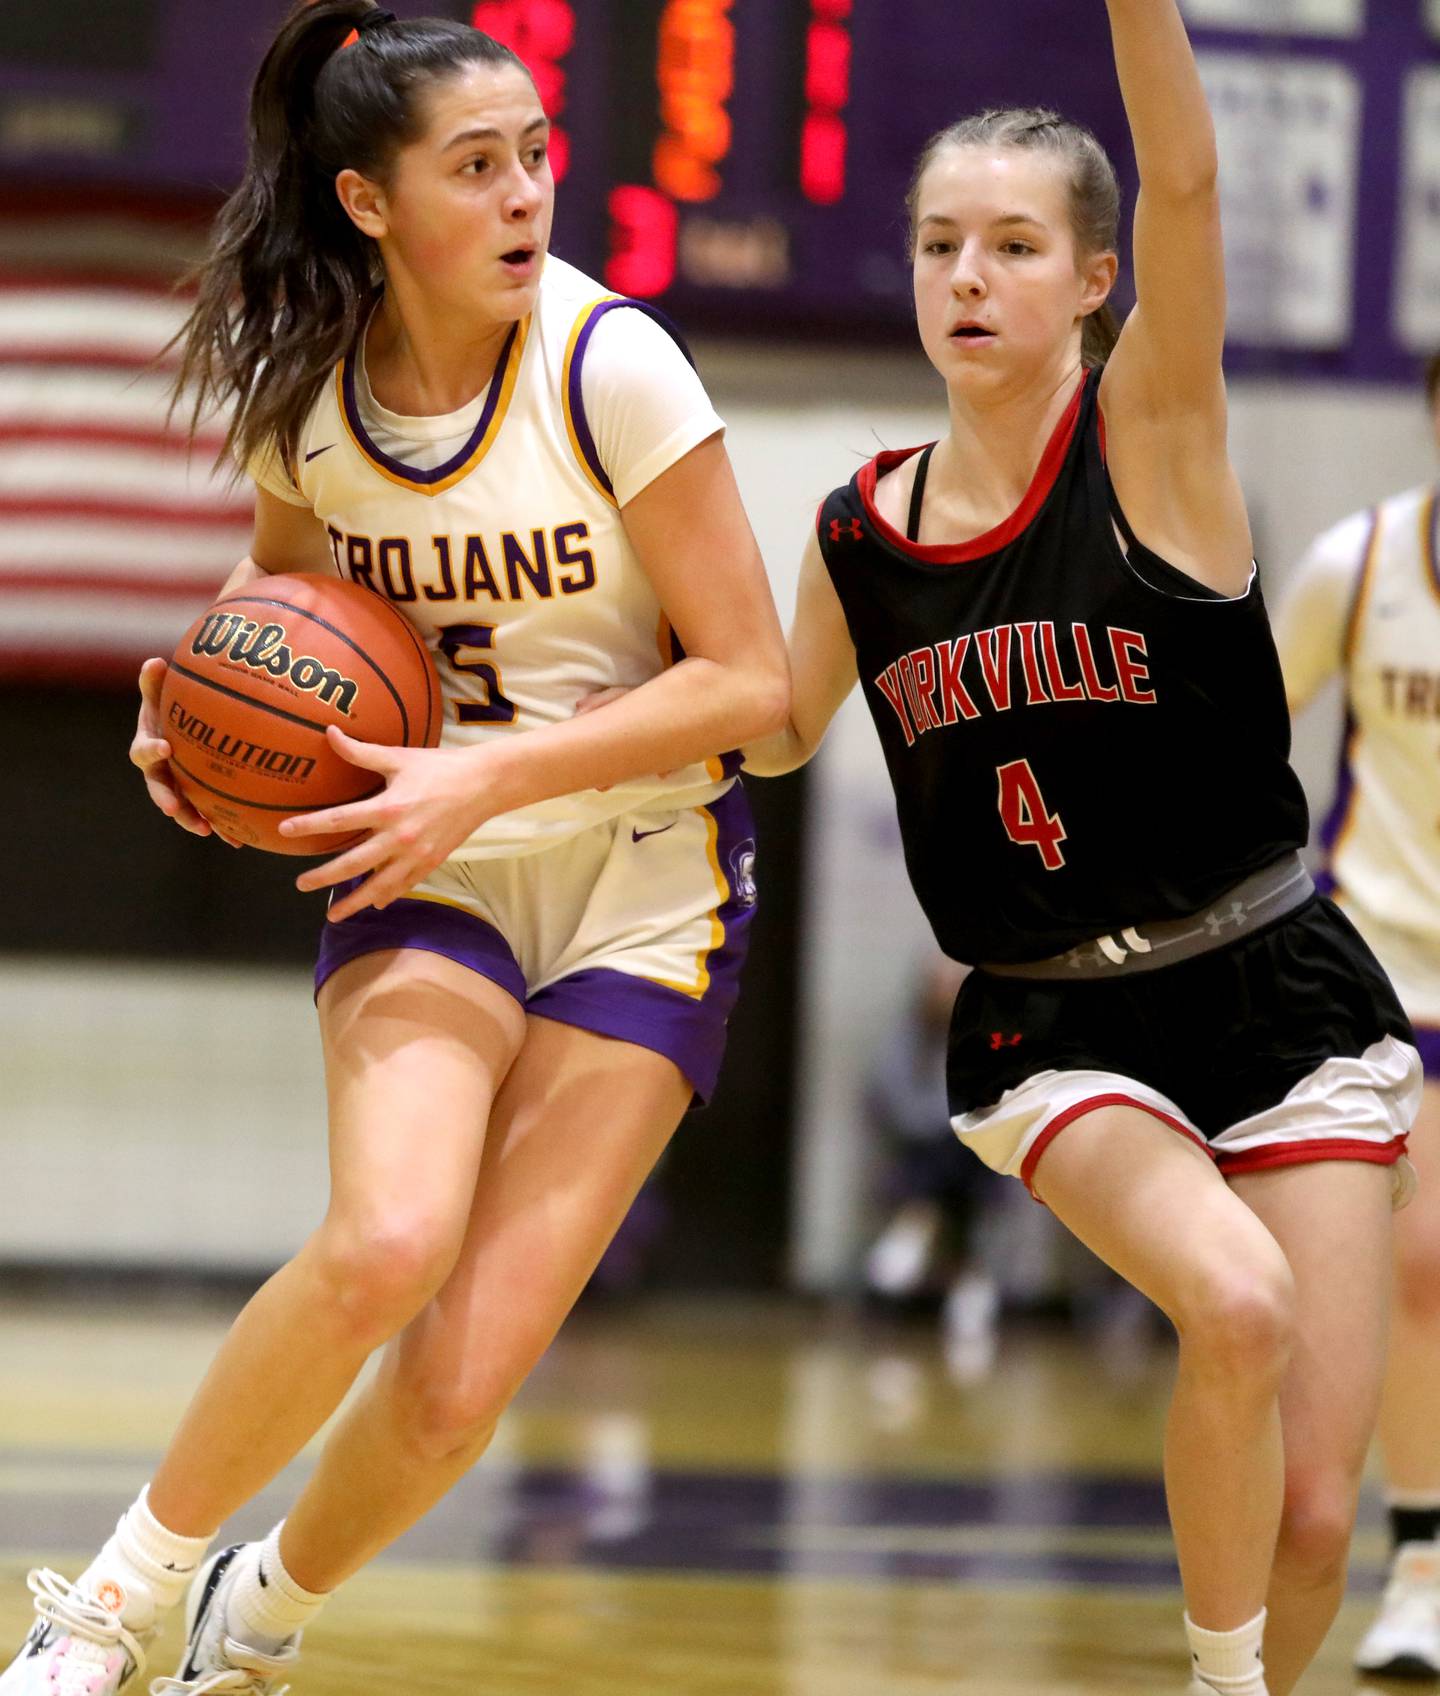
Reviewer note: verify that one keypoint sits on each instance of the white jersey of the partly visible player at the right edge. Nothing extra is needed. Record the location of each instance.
(1383, 834)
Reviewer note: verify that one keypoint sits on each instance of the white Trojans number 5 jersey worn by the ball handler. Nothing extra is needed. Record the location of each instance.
(511, 559)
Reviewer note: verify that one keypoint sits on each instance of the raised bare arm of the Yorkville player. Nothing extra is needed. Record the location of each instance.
(1164, 389)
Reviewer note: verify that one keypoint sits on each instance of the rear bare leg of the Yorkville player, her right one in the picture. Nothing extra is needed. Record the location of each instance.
(1334, 1224)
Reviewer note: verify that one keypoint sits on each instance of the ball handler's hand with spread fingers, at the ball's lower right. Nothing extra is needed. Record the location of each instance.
(416, 823)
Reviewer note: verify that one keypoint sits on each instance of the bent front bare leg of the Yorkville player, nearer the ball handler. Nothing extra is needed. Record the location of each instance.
(1153, 1207)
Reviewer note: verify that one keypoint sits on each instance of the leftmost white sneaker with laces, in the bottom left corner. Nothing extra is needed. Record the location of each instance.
(77, 1646)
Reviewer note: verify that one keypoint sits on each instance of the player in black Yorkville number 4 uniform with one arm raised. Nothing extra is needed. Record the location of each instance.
(1056, 623)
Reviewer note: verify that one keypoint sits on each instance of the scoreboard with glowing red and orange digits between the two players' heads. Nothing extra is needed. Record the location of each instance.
(747, 160)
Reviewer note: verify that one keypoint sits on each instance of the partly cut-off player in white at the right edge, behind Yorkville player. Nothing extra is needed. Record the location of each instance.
(1365, 606)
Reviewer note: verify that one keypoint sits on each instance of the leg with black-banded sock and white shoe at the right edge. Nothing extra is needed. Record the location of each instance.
(1405, 1637)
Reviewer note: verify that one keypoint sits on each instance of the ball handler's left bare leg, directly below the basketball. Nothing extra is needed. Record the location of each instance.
(415, 1046)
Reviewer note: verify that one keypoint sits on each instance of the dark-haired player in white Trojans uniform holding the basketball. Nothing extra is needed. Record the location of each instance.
(532, 956)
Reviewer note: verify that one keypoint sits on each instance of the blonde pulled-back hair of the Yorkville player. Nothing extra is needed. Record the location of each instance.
(1095, 189)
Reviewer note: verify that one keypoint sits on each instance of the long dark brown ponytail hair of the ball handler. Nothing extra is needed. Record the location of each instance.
(289, 279)
